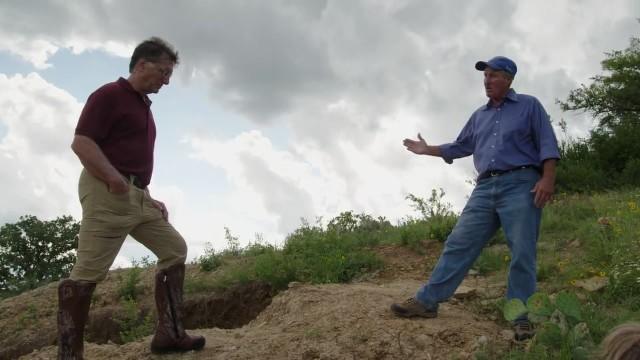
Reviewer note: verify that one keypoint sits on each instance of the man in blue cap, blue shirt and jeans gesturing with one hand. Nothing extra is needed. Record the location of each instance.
(514, 151)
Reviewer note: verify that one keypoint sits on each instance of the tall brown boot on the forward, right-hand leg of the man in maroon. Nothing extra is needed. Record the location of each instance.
(170, 335)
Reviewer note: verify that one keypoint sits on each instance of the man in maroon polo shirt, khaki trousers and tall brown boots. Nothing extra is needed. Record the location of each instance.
(114, 141)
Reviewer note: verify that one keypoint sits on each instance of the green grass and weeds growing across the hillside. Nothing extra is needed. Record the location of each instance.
(581, 236)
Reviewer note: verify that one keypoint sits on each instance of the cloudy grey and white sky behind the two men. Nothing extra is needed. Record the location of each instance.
(283, 109)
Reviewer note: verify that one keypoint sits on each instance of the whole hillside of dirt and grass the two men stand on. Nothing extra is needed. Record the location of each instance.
(587, 255)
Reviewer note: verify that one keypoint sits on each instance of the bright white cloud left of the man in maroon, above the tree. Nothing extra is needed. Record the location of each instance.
(38, 170)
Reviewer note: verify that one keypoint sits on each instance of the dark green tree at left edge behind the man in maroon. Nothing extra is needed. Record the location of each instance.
(33, 252)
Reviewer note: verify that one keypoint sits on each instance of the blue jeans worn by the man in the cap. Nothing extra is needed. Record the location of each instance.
(505, 201)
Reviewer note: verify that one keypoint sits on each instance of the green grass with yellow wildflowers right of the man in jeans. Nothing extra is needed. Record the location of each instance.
(584, 236)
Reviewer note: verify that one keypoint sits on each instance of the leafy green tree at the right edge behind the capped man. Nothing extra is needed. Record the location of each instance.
(610, 156)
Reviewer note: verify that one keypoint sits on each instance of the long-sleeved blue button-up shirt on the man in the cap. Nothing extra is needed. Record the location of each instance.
(516, 133)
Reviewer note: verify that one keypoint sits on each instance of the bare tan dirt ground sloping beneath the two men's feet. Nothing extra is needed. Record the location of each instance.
(339, 321)
